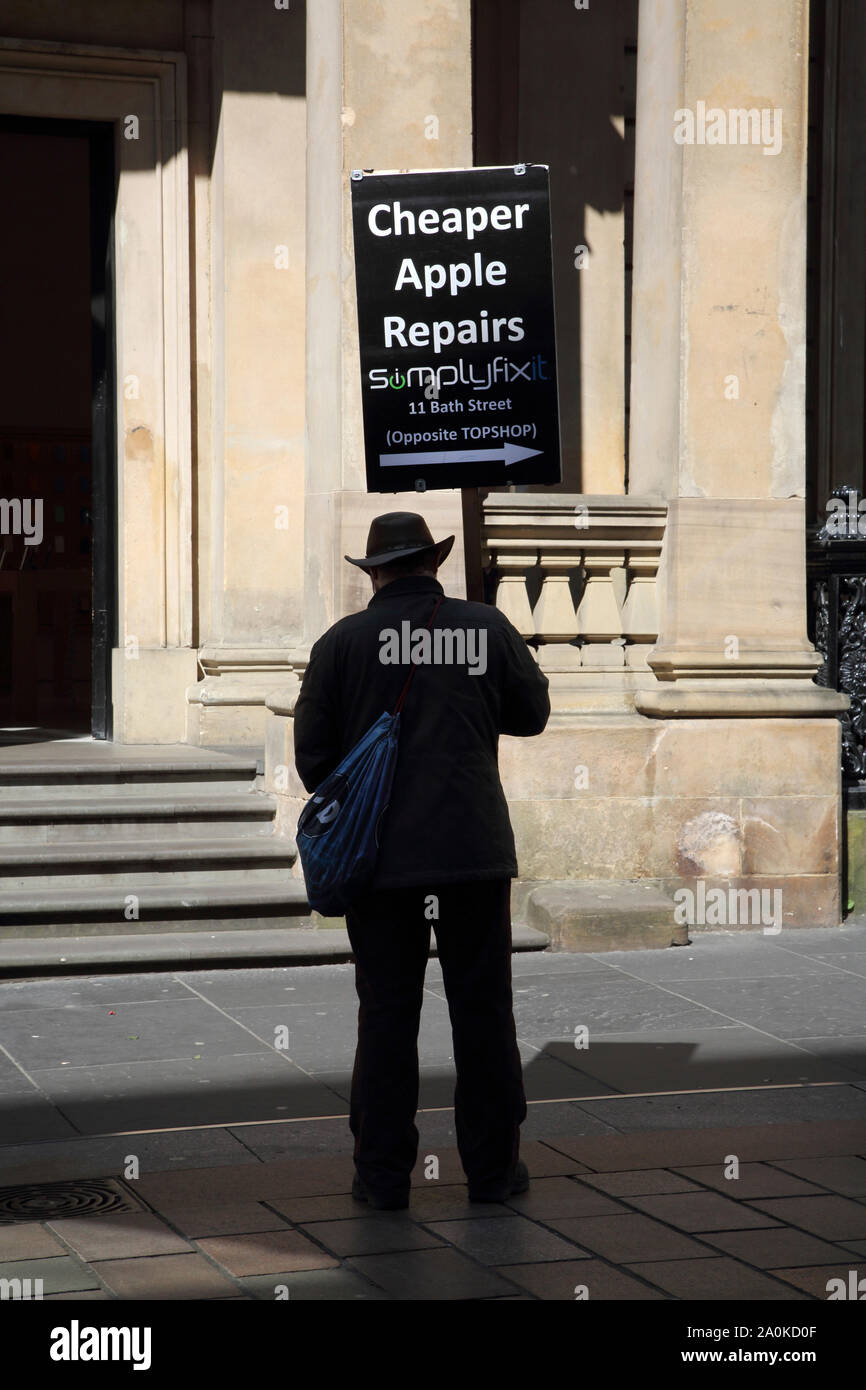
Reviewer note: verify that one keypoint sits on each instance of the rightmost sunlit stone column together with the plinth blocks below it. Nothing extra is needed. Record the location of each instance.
(743, 801)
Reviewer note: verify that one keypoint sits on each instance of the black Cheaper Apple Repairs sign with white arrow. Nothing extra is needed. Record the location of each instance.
(455, 306)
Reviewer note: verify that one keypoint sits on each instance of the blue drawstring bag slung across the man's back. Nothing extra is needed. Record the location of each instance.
(340, 829)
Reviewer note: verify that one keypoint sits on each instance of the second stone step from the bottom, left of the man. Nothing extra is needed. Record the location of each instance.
(101, 911)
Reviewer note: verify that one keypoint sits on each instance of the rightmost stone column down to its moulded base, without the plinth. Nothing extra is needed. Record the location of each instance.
(719, 332)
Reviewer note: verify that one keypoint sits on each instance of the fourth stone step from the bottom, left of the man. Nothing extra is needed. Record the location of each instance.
(195, 815)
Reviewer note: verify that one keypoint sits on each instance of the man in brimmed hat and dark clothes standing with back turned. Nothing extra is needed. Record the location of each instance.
(447, 853)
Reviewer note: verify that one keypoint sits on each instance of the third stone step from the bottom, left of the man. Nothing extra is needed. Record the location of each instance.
(117, 864)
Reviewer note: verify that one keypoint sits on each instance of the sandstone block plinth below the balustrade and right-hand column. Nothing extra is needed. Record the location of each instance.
(743, 804)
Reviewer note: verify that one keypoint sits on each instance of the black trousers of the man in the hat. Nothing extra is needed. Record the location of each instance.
(390, 935)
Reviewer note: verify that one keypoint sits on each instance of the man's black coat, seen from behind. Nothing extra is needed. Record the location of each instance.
(448, 818)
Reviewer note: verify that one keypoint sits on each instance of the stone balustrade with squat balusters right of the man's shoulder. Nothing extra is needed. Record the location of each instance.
(578, 578)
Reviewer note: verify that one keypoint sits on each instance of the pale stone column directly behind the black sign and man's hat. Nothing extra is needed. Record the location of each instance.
(389, 88)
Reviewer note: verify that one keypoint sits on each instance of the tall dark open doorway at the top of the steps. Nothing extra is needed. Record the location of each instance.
(58, 466)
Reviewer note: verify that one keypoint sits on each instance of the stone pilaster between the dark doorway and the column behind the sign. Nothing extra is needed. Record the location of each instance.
(250, 363)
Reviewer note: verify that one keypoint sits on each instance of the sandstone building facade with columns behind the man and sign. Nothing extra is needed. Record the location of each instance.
(662, 583)
